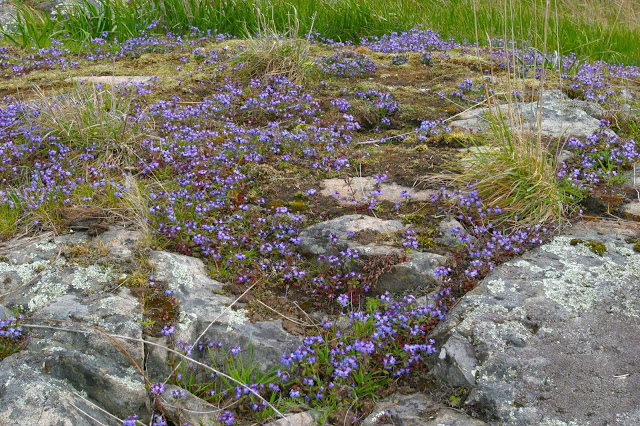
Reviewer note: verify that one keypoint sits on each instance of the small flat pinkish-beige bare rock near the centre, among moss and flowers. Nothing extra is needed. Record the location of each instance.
(358, 190)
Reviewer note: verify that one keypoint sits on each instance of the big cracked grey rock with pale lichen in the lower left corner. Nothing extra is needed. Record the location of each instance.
(60, 365)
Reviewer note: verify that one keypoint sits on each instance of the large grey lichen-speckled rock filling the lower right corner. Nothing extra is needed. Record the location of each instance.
(552, 337)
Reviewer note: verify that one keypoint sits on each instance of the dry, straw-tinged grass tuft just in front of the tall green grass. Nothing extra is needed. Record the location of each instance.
(272, 54)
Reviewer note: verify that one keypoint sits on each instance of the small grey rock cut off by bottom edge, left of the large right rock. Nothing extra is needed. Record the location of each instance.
(416, 410)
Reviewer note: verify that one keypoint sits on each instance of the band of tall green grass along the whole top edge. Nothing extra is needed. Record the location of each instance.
(595, 29)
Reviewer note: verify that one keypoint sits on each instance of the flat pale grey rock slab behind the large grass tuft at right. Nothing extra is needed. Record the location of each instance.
(561, 116)
